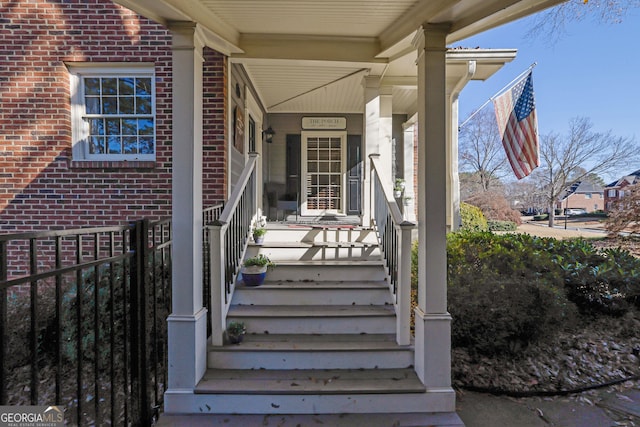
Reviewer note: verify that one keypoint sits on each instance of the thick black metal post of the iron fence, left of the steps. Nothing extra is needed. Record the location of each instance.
(138, 279)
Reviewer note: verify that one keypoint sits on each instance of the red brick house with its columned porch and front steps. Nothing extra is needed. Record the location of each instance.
(109, 115)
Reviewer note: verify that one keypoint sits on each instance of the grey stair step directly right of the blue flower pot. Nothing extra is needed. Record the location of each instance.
(327, 270)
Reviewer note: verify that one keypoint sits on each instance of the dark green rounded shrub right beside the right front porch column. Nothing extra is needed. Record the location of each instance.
(504, 292)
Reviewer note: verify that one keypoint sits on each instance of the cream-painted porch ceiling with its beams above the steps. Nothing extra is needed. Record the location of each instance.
(310, 56)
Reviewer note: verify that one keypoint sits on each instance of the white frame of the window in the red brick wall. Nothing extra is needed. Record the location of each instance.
(80, 127)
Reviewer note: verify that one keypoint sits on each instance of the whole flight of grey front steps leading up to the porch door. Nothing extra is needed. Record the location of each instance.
(320, 336)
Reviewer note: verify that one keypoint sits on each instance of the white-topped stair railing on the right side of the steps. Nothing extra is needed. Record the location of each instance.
(394, 237)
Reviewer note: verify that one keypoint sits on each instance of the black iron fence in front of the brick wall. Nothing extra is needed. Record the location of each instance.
(83, 321)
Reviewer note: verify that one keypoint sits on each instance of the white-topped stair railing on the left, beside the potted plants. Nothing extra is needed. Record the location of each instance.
(228, 239)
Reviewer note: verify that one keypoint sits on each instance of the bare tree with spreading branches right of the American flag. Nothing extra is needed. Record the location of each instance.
(564, 161)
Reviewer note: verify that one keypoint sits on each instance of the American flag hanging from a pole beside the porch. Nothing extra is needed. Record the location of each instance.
(516, 116)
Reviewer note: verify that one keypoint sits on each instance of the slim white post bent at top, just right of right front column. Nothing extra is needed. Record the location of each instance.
(453, 179)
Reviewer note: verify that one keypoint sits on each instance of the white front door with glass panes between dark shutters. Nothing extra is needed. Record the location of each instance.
(323, 171)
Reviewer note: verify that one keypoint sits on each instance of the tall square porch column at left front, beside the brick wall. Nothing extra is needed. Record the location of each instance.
(187, 322)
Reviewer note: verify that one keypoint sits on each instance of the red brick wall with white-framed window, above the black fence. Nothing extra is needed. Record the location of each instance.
(52, 177)
